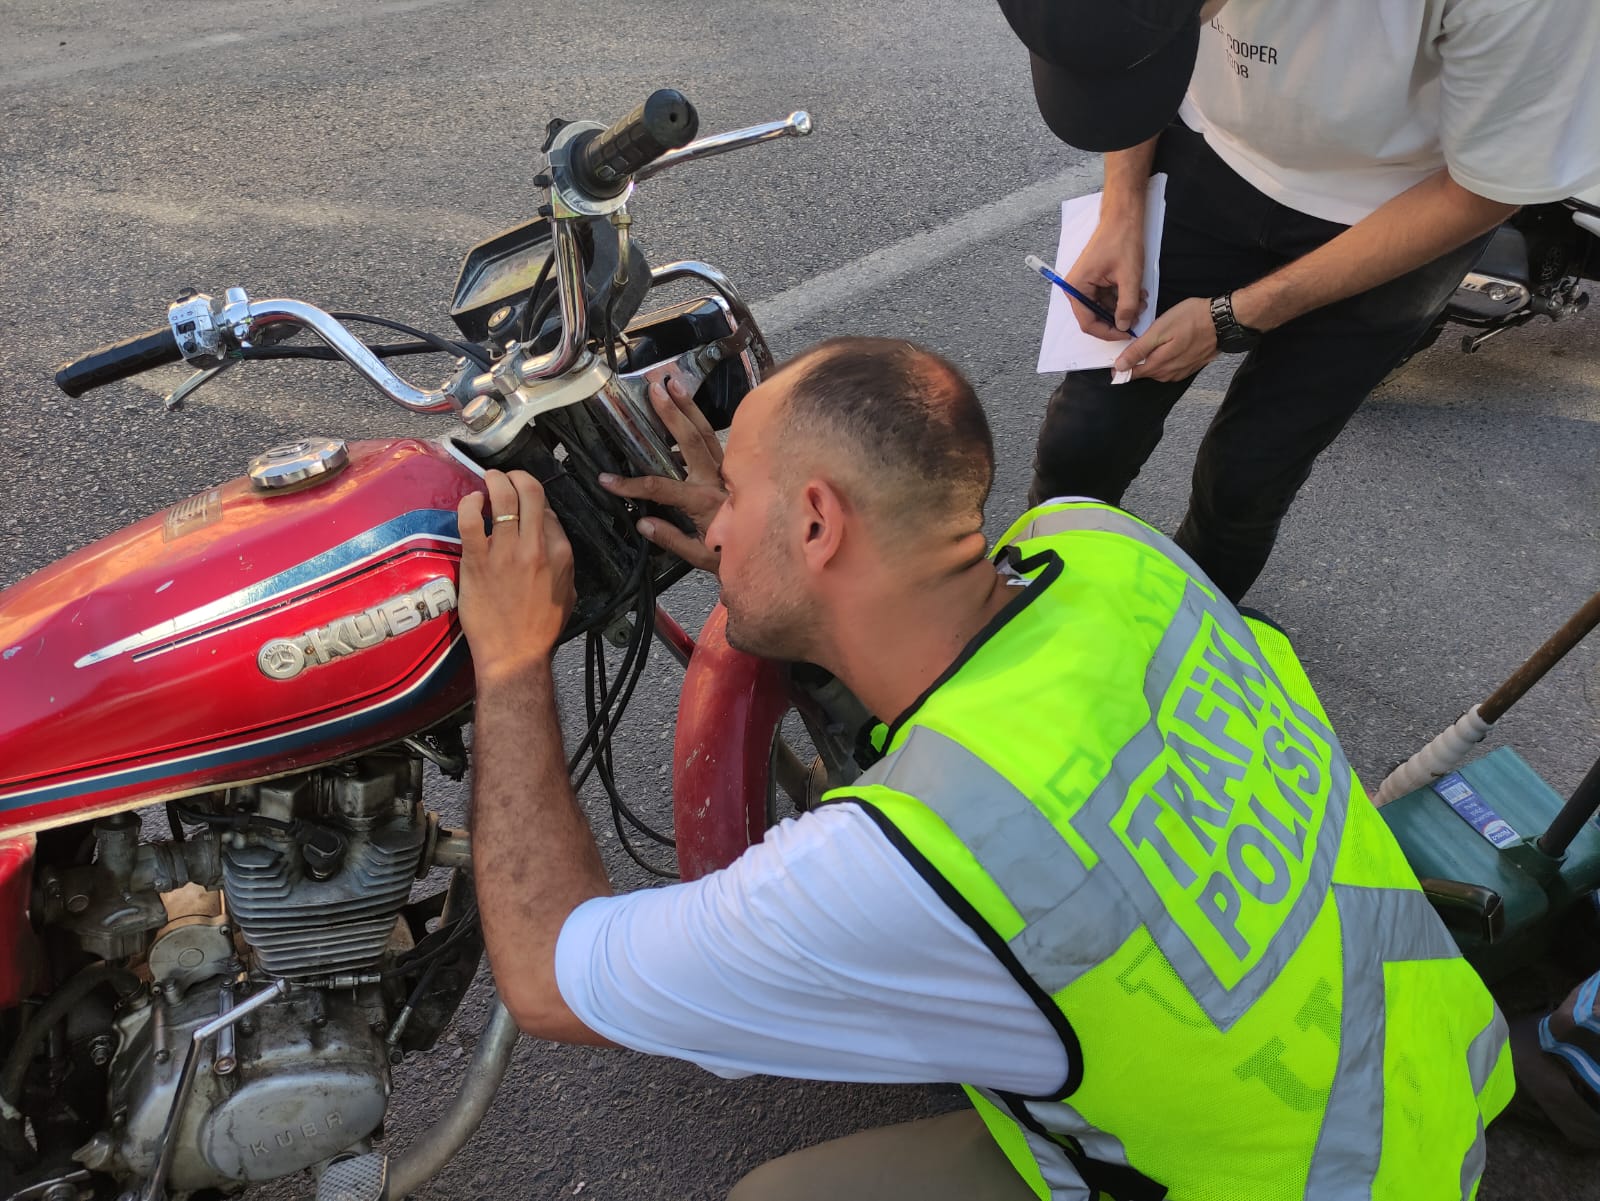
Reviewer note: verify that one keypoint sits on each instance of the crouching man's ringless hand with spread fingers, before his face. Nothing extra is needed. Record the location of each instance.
(700, 497)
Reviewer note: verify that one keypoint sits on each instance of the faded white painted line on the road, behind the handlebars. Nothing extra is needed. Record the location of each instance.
(828, 292)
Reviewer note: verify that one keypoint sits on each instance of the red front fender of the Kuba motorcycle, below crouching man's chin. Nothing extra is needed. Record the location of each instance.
(729, 716)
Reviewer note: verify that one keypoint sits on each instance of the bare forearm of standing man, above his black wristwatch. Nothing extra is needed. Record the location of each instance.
(1407, 233)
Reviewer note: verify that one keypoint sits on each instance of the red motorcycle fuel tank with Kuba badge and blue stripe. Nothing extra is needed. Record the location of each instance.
(242, 634)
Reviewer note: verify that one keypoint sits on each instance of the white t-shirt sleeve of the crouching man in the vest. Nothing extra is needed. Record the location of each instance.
(820, 954)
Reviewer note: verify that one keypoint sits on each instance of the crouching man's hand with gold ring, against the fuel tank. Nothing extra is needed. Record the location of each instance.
(516, 581)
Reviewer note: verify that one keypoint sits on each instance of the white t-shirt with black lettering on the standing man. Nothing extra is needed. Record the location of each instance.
(1335, 106)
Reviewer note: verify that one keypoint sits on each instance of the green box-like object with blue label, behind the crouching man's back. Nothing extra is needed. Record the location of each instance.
(1471, 839)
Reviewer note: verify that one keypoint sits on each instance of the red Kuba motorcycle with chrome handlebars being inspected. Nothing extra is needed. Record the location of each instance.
(274, 663)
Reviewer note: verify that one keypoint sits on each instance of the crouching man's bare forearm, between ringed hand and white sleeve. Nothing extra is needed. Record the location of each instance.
(535, 858)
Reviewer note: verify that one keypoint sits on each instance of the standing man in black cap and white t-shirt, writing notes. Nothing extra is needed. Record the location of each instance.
(1334, 172)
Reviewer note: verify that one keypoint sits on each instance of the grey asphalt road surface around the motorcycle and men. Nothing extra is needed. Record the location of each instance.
(350, 153)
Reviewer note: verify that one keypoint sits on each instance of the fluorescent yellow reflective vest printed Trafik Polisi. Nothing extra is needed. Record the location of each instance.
(1134, 797)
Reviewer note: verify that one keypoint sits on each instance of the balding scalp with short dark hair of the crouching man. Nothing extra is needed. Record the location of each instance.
(898, 426)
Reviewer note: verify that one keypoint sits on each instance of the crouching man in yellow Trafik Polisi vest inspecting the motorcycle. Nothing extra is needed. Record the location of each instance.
(1113, 871)
